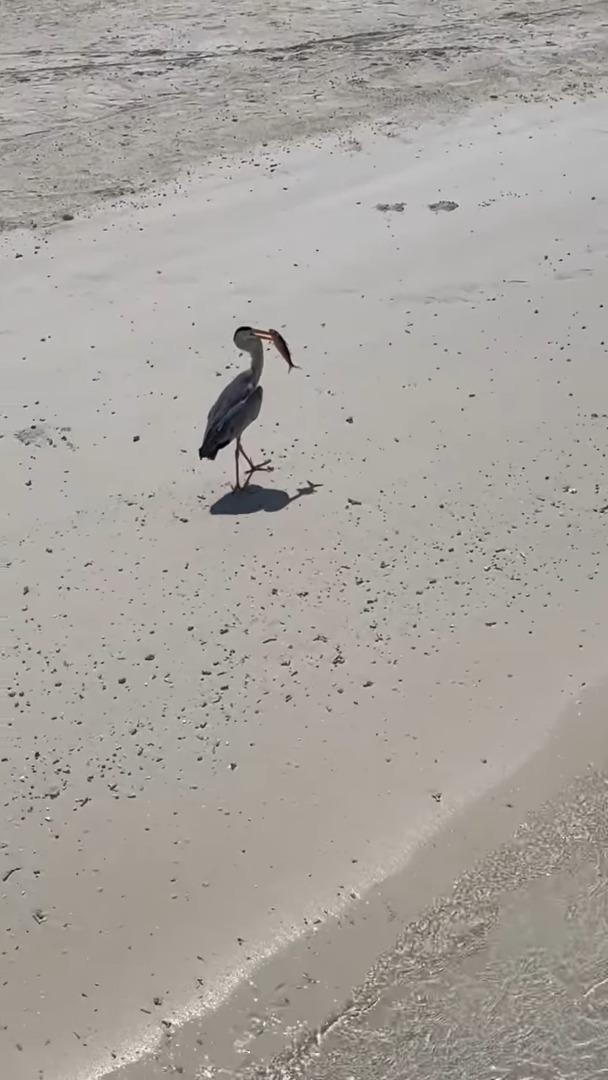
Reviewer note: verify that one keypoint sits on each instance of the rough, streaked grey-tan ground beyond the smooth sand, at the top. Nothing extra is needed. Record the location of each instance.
(104, 100)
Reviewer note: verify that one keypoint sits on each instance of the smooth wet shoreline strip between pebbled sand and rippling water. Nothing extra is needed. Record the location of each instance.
(290, 1003)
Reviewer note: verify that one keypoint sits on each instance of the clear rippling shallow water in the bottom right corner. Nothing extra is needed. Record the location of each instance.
(505, 980)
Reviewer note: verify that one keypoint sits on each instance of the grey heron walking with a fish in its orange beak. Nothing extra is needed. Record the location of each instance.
(240, 402)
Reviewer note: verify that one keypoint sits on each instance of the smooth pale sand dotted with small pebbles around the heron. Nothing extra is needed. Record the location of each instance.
(231, 717)
